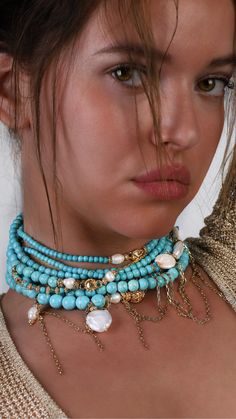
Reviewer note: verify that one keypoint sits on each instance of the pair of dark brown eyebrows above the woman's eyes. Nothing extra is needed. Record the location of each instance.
(137, 49)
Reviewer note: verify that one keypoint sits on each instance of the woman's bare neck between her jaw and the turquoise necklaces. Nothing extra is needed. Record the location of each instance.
(75, 236)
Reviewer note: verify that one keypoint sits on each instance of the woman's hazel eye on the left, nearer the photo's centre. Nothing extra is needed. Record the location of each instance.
(129, 75)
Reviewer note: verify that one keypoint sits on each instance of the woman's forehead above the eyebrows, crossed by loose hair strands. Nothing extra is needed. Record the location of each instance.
(187, 27)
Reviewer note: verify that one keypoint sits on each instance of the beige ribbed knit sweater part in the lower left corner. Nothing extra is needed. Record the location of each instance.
(21, 395)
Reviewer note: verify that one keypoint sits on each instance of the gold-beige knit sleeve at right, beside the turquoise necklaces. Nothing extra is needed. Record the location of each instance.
(215, 249)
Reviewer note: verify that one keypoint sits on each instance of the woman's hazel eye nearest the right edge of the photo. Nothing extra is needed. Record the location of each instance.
(215, 86)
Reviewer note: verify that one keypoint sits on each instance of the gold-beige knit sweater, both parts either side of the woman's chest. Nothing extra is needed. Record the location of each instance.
(21, 395)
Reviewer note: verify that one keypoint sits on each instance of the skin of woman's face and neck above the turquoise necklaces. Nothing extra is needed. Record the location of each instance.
(101, 213)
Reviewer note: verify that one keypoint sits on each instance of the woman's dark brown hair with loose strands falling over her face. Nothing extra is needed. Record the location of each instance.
(37, 32)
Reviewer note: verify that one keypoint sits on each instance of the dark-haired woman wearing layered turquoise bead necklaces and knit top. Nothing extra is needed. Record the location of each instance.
(118, 108)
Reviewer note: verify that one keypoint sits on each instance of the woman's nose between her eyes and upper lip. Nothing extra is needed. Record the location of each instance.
(178, 118)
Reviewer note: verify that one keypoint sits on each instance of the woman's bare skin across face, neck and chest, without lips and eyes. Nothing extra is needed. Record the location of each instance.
(103, 212)
